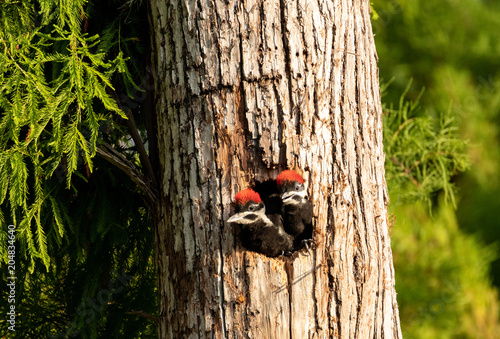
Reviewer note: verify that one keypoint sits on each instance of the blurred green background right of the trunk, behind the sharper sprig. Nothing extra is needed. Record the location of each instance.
(446, 255)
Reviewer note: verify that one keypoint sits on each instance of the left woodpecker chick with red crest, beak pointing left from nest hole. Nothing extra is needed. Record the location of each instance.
(260, 232)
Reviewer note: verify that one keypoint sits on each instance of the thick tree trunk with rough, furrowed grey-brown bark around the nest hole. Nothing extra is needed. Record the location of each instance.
(245, 89)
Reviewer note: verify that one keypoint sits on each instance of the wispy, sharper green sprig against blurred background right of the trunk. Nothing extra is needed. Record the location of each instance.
(422, 154)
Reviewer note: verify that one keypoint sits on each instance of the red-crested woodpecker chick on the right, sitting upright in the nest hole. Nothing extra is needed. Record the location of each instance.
(297, 210)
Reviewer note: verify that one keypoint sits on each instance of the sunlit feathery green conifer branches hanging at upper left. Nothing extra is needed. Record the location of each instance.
(54, 84)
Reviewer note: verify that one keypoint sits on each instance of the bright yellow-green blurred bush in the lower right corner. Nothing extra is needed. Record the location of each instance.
(442, 277)
